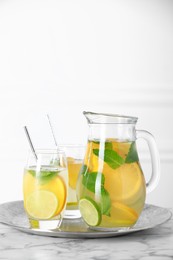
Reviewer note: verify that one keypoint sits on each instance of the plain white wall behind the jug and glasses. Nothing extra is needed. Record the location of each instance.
(65, 56)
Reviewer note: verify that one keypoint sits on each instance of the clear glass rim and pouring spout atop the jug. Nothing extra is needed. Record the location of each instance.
(102, 118)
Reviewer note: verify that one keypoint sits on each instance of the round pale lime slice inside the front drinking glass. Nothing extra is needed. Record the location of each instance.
(41, 204)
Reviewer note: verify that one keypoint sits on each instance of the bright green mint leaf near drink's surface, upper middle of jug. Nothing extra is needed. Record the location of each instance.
(112, 158)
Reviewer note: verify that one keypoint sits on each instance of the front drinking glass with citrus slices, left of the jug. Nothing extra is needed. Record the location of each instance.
(45, 188)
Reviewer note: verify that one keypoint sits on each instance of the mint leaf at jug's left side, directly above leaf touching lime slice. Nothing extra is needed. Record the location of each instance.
(90, 182)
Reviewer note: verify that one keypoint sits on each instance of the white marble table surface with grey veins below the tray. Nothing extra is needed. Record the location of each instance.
(156, 243)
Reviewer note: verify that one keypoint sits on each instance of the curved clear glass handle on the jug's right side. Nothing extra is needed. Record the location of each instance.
(155, 176)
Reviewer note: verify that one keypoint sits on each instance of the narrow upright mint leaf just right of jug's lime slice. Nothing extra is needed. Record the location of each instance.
(105, 202)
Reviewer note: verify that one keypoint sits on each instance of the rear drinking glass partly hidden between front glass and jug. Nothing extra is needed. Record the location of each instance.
(75, 155)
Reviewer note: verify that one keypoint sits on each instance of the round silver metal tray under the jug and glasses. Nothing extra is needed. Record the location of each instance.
(13, 214)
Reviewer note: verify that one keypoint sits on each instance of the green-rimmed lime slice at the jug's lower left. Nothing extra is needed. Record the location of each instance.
(90, 211)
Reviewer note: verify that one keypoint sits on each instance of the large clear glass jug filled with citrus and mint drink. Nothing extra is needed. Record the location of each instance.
(111, 187)
